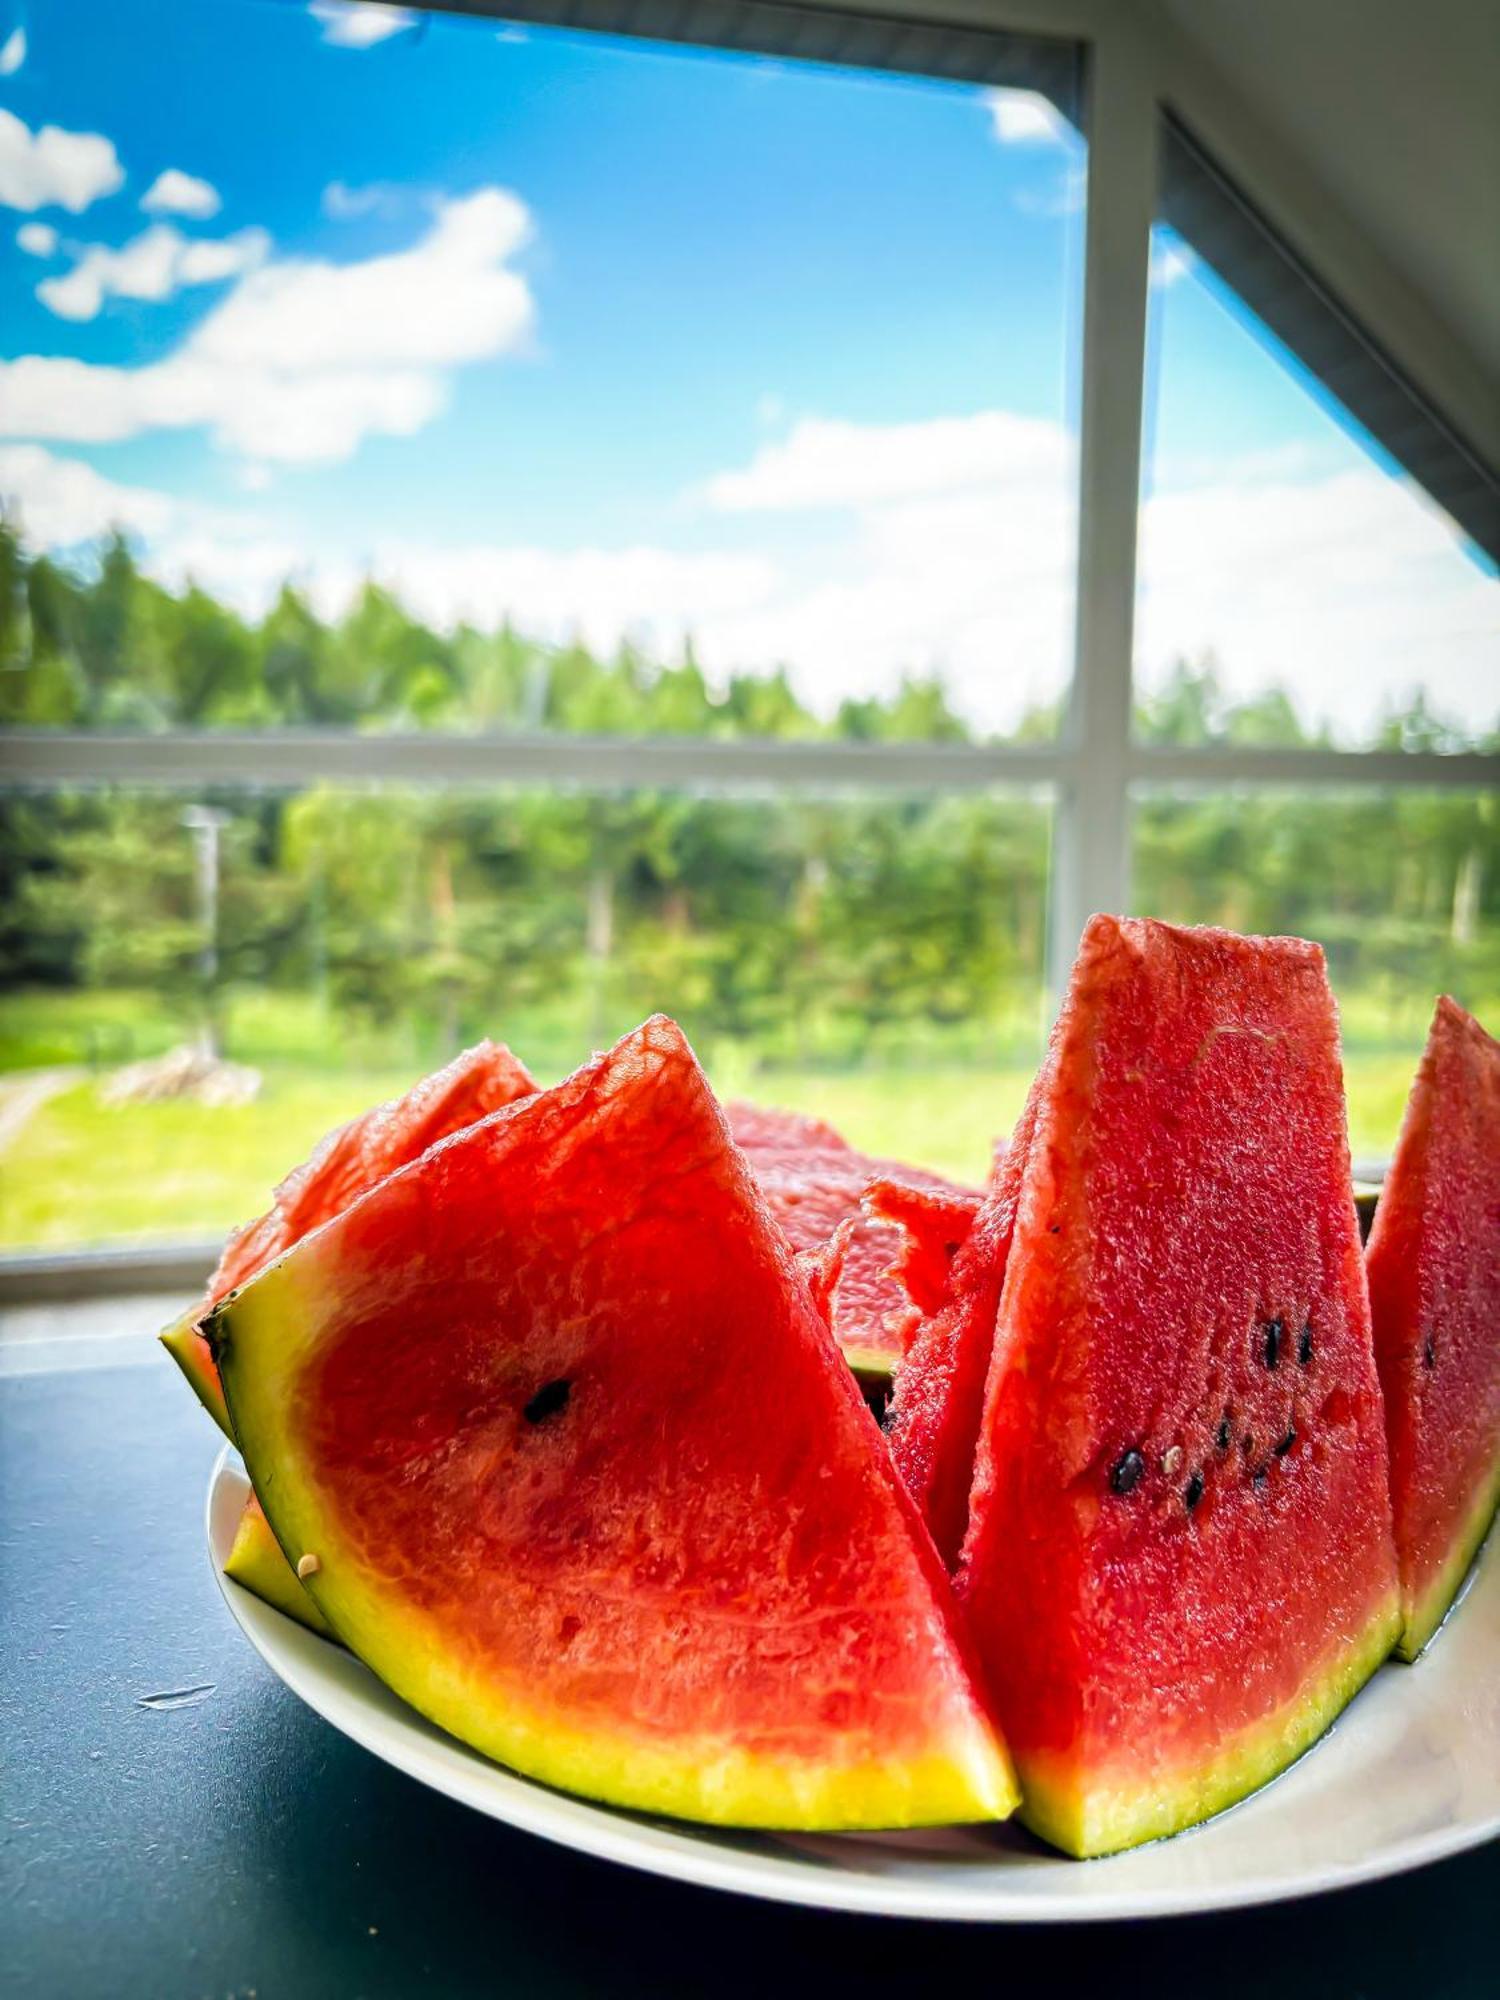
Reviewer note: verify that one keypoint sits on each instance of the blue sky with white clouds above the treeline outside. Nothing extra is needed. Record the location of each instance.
(627, 339)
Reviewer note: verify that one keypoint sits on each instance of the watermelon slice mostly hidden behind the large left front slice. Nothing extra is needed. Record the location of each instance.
(343, 1167)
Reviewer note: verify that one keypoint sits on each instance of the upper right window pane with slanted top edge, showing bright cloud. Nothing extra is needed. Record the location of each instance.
(1295, 585)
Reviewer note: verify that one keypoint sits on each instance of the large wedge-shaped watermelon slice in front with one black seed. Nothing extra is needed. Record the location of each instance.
(503, 1405)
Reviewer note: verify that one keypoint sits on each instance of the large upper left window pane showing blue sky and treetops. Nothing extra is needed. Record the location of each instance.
(523, 379)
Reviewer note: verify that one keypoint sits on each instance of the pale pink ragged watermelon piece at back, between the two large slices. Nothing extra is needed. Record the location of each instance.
(815, 1187)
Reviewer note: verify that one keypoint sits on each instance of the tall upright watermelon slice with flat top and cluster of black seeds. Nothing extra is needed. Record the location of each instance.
(1179, 1561)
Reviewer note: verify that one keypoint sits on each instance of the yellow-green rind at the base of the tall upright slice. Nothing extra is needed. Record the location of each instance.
(1107, 1819)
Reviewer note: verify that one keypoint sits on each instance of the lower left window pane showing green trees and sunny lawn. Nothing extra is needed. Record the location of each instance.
(873, 961)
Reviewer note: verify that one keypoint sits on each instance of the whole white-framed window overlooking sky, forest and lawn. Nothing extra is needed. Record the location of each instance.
(725, 573)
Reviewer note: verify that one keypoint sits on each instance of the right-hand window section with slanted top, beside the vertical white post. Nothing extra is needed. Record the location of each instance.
(1303, 593)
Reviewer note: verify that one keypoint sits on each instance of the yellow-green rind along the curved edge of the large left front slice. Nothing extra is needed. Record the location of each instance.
(263, 1339)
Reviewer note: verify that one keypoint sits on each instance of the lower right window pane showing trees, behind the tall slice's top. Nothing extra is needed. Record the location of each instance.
(1401, 889)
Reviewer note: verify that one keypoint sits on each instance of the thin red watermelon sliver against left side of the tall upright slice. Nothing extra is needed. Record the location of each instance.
(939, 1391)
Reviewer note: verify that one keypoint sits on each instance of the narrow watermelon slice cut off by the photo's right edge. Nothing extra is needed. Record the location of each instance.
(1435, 1299)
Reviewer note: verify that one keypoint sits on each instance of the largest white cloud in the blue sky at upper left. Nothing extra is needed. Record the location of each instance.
(305, 359)
